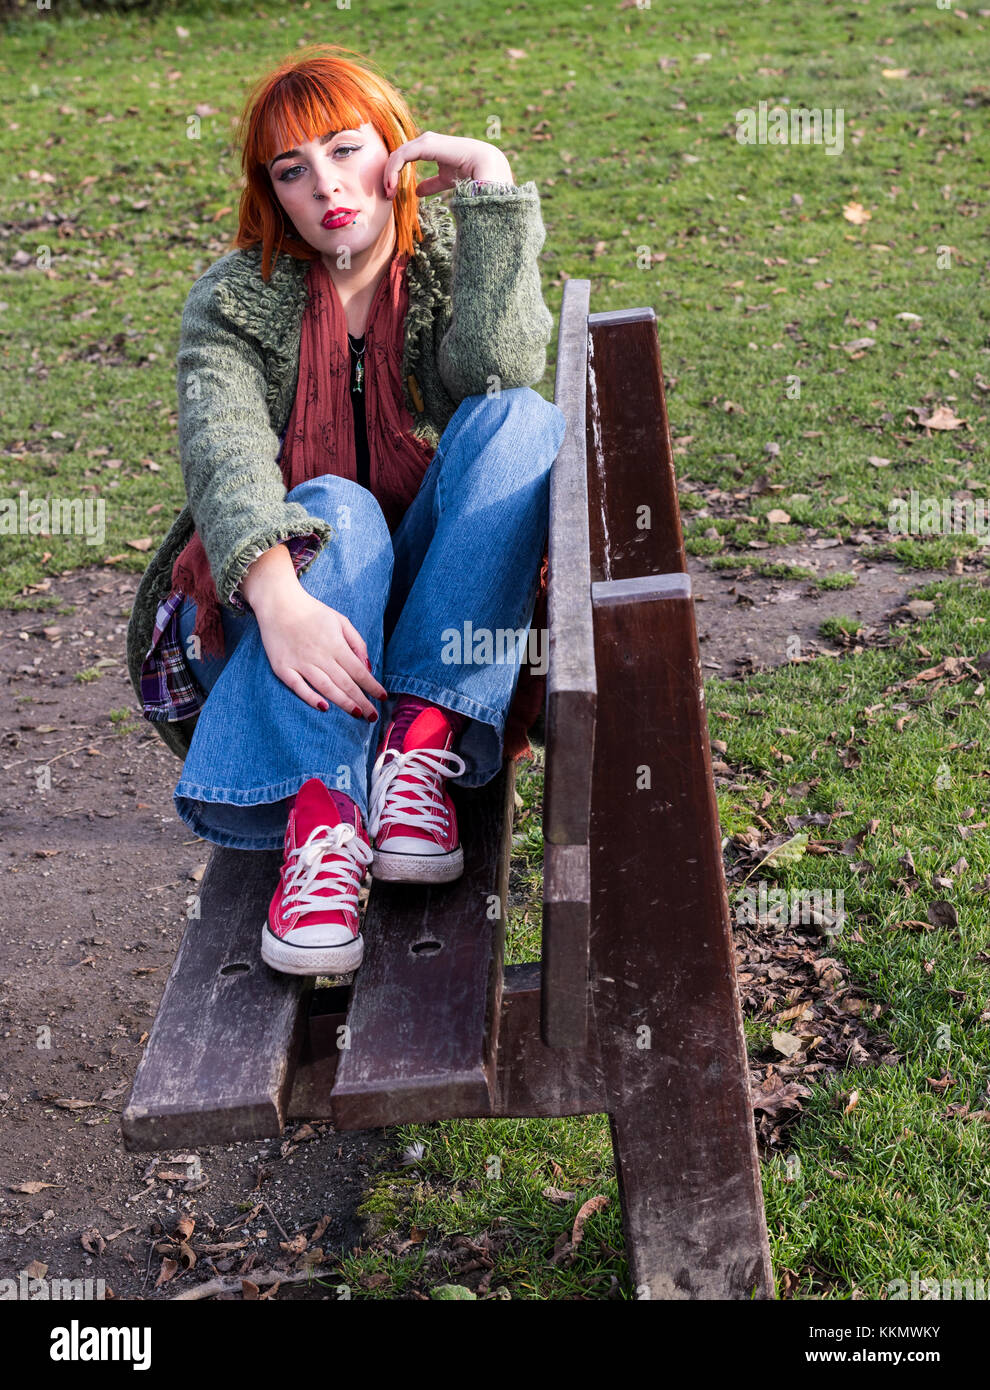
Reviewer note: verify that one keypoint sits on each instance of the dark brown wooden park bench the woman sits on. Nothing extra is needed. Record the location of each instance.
(633, 1010)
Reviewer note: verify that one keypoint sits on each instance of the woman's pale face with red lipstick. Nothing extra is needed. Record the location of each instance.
(340, 173)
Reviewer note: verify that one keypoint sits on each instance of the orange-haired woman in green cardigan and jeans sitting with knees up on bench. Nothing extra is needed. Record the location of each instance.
(368, 476)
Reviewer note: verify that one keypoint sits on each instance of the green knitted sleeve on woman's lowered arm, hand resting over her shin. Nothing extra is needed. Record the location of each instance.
(229, 451)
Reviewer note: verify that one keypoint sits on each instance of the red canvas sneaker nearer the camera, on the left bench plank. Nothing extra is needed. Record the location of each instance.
(314, 926)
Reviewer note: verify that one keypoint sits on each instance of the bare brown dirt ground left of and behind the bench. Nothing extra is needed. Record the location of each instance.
(98, 871)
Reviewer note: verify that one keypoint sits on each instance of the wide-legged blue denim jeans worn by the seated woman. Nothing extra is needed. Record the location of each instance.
(464, 561)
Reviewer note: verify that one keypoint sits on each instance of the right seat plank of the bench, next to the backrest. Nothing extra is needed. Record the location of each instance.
(425, 1008)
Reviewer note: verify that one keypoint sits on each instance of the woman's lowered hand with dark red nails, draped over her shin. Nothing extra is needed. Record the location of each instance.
(319, 653)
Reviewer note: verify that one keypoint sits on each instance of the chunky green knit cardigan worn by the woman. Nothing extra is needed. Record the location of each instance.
(476, 319)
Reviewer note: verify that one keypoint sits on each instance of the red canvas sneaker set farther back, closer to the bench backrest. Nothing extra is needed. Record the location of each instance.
(411, 817)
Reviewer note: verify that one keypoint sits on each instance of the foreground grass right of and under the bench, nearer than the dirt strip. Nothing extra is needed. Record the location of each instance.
(857, 1200)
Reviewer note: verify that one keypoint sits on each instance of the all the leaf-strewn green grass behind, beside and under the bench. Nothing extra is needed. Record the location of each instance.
(760, 286)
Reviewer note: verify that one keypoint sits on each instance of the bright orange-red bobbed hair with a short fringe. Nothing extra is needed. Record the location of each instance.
(301, 101)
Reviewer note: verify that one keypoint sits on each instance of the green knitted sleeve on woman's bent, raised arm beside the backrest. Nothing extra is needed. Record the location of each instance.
(500, 325)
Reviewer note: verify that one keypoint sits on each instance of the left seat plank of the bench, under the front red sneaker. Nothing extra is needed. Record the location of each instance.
(220, 1060)
